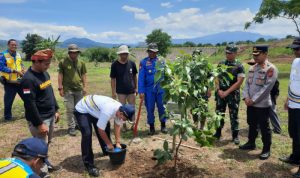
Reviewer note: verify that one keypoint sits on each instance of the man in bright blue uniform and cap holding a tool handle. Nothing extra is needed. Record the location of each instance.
(151, 91)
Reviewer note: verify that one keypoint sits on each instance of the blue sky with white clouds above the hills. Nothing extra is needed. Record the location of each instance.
(129, 21)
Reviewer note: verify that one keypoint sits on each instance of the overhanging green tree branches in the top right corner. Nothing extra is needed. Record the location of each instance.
(271, 9)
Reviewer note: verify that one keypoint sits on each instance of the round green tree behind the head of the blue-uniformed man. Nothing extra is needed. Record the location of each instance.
(162, 39)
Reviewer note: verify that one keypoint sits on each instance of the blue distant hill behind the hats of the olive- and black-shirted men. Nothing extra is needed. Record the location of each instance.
(85, 43)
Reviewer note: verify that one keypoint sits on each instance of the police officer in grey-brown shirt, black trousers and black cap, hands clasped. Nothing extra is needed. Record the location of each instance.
(256, 94)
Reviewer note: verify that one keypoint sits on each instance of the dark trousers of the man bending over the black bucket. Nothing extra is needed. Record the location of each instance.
(85, 122)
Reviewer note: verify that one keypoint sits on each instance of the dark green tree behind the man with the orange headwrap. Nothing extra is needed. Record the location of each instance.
(30, 43)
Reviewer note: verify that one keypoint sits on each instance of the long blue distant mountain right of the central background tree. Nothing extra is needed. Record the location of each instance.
(224, 37)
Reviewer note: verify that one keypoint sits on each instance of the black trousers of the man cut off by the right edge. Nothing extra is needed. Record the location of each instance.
(294, 132)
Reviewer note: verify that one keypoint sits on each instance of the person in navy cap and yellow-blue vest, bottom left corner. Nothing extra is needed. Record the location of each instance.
(28, 157)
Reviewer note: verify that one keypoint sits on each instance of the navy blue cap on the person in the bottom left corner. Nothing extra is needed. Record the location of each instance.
(33, 147)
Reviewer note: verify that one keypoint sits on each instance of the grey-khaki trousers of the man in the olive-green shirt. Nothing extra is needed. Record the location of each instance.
(71, 98)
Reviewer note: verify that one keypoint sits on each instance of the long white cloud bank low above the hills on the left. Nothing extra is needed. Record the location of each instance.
(18, 29)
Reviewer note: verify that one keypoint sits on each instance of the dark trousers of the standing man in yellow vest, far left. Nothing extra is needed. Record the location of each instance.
(10, 91)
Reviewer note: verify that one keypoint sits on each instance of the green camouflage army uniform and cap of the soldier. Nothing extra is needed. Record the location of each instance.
(224, 81)
